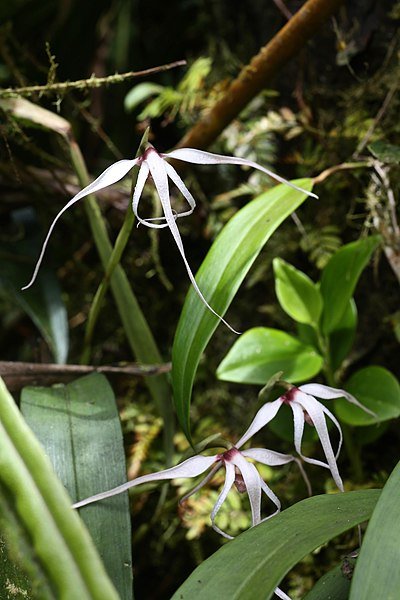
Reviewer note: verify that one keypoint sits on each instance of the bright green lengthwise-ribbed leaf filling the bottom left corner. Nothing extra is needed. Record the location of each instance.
(55, 540)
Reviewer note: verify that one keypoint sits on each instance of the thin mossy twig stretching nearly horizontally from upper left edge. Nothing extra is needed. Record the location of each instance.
(92, 82)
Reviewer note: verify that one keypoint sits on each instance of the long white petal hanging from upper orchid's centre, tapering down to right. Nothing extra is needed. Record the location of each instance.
(159, 174)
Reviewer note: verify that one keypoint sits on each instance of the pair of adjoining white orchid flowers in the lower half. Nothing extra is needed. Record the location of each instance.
(239, 468)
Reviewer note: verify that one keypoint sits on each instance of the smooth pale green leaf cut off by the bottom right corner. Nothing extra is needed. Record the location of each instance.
(377, 573)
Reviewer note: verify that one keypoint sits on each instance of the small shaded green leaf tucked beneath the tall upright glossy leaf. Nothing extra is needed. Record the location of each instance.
(342, 337)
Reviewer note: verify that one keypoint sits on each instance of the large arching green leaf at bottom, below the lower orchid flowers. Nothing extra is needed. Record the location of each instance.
(252, 565)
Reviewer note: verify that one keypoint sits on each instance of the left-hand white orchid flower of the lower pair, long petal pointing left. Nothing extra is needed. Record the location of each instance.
(239, 471)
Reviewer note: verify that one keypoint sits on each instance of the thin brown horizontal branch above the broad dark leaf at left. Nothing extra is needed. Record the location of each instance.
(17, 375)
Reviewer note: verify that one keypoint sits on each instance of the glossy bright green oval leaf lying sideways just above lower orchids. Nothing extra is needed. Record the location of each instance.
(261, 352)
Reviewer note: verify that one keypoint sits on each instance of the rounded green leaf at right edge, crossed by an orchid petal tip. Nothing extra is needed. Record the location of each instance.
(376, 388)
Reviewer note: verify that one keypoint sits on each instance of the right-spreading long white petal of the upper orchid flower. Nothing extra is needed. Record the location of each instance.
(201, 157)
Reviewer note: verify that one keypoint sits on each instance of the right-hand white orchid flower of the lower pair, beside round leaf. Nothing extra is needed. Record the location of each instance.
(306, 408)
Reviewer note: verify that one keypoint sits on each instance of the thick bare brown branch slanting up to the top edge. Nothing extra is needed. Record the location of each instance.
(254, 77)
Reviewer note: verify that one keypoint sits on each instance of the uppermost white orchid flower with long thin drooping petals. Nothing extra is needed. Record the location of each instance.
(155, 164)
